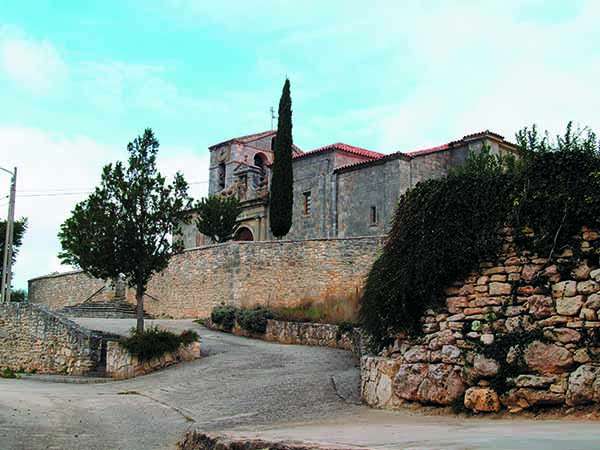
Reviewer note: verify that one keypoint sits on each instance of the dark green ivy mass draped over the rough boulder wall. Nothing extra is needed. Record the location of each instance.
(443, 228)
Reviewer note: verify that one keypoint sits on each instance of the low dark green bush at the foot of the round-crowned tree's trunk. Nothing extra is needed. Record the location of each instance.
(155, 342)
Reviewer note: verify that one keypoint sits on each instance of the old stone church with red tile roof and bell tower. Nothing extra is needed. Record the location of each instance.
(340, 190)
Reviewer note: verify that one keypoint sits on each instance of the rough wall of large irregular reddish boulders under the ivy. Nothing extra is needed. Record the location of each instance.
(520, 332)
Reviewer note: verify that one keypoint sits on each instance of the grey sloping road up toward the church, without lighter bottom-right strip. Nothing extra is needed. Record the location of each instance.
(241, 382)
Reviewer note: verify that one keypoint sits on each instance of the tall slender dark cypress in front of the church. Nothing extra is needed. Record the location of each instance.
(282, 180)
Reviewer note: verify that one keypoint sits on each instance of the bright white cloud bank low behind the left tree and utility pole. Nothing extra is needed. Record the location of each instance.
(48, 191)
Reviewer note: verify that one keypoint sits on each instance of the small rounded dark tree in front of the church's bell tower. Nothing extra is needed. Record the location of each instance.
(217, 217)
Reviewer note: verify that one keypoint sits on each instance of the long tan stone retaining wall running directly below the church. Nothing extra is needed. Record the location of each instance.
(271, 273)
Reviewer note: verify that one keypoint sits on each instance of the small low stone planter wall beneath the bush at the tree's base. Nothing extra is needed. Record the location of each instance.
(120, 364)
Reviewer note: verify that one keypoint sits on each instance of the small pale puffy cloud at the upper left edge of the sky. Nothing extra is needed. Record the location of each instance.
(32, 64)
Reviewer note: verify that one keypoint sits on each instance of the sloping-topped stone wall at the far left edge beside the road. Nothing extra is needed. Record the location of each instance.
(33, 339)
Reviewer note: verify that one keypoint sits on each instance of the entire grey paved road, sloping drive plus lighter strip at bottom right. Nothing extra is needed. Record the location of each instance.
(252, 388)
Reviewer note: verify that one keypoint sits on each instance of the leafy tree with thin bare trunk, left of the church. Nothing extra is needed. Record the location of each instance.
(123, 228)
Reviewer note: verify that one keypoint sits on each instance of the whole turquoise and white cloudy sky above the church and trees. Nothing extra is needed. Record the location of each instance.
(79, 79)
